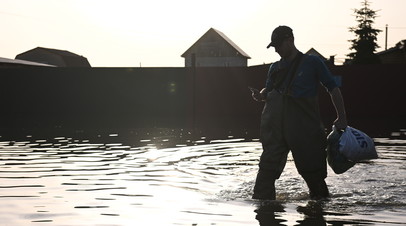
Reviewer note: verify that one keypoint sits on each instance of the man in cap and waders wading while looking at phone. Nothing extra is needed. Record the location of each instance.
(291, 120)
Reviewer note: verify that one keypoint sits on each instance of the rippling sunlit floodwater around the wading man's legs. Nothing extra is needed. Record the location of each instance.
(170, 180)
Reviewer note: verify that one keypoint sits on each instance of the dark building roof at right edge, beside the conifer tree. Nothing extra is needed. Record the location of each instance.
(394, 55)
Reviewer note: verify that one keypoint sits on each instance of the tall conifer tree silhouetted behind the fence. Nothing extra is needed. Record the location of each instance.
(364, 45)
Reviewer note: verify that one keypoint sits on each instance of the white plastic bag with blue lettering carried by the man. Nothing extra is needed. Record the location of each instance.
(356, 145)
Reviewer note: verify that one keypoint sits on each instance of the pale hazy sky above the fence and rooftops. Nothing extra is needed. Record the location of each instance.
(154, 33)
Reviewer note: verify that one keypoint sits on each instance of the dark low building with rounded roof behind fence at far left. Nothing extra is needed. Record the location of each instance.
(59, 58)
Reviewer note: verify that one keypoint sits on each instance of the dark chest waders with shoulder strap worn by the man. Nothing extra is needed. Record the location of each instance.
(291, 124)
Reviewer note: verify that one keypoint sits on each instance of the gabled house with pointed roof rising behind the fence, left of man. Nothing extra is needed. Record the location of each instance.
(214, 49)
